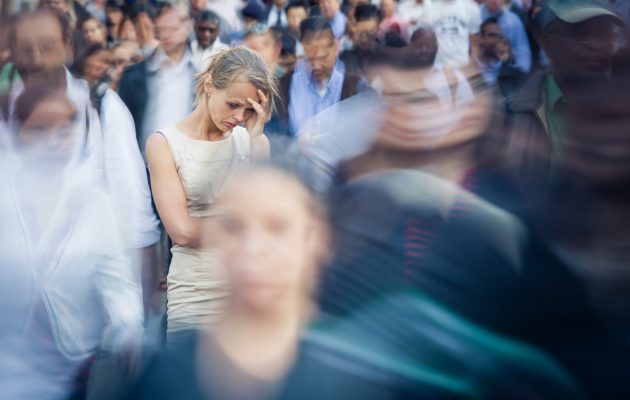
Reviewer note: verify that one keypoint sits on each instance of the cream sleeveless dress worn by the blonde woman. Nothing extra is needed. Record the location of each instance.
(197, 289)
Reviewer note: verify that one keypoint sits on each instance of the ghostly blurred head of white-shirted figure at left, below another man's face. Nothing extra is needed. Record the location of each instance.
(46, 119)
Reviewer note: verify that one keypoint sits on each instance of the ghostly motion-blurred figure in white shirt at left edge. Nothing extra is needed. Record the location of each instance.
(69, 287)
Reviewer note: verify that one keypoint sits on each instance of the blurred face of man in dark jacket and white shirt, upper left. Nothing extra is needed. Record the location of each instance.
(173, 27)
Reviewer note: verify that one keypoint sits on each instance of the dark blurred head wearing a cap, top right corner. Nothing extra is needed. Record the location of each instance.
(578, 36)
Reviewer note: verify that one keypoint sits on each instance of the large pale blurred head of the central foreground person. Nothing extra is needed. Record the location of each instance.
(271, 237)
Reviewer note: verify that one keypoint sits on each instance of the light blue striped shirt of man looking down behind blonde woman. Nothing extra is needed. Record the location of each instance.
(306, 99)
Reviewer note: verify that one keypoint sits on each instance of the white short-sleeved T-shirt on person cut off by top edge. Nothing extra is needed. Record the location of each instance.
(456, 24)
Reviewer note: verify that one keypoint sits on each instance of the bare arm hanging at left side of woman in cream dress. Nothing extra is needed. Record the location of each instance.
(169, 194)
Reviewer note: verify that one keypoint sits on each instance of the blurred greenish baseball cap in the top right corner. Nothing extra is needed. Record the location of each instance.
(574, 11)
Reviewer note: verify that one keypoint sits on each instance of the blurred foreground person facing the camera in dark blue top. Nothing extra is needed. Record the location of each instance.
(271, 237)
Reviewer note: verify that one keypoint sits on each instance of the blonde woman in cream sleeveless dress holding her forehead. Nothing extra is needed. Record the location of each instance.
(189, 162)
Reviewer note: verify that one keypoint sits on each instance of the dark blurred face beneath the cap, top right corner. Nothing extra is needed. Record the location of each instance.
(584, 48)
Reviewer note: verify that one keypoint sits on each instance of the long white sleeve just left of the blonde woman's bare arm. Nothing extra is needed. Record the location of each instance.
(126, 174)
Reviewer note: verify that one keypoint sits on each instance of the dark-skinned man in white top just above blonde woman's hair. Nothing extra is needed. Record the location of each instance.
(207, 31)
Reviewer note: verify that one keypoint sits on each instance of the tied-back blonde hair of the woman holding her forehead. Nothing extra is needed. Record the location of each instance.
(229, 65)
